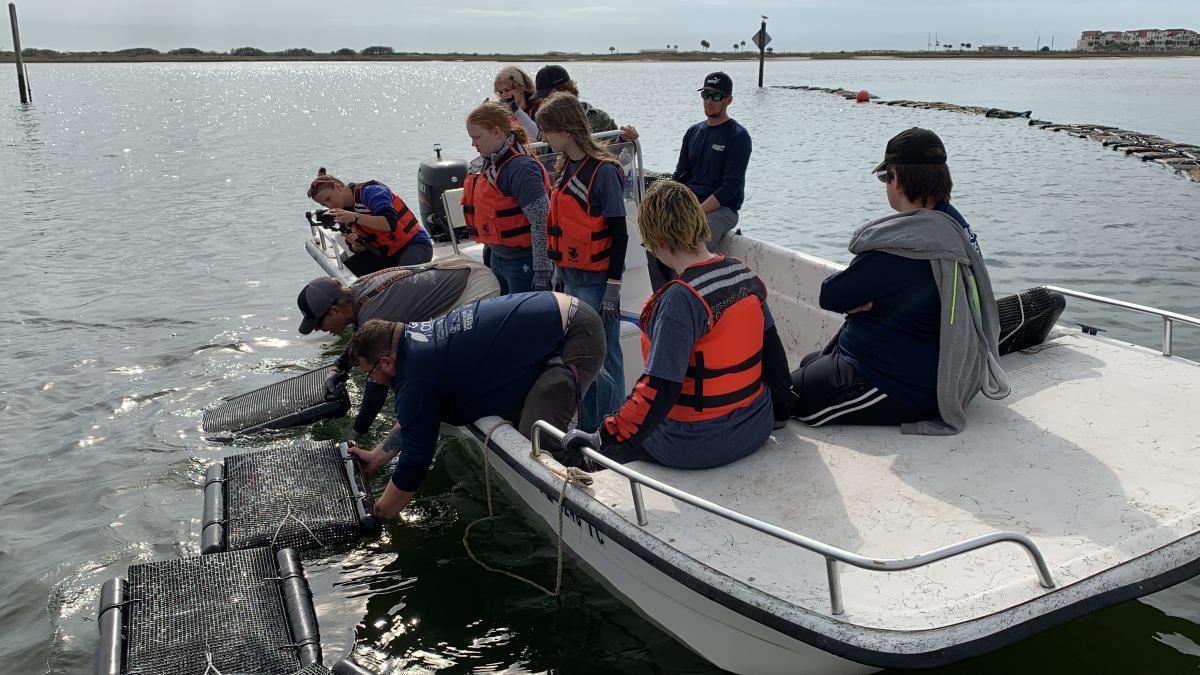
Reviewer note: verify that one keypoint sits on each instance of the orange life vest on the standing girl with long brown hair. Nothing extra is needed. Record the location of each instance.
(574, 237)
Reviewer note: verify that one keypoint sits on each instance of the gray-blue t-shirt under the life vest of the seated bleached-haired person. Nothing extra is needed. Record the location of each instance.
(680, 322)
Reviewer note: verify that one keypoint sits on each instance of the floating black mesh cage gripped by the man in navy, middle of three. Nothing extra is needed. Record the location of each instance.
(303, 497)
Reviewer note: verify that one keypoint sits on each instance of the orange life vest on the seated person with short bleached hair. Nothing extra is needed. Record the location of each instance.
(725, 368)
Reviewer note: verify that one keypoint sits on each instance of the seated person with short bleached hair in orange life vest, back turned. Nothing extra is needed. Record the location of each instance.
(716, 375)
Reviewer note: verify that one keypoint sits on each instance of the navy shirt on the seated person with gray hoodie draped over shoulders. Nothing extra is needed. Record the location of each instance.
(895, 344)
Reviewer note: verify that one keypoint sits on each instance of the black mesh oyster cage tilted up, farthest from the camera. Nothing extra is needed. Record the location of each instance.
(291, 403)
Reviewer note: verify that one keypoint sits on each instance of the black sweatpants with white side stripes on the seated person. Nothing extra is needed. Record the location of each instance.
(832, 391)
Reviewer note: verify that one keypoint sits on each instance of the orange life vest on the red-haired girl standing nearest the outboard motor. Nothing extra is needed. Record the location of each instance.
(491, 216)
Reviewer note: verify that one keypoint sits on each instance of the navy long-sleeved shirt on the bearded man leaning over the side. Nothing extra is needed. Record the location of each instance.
(479, 360)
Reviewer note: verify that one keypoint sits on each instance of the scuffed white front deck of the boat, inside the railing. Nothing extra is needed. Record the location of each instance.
(1060, 461)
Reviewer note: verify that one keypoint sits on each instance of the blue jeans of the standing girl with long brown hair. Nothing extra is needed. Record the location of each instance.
(608, 392)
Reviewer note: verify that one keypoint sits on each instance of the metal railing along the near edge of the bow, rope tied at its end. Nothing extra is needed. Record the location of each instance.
(833, 555)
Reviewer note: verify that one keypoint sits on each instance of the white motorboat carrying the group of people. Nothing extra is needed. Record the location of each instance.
(849, 549)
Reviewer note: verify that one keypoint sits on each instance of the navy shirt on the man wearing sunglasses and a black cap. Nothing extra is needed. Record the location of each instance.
(713, 162)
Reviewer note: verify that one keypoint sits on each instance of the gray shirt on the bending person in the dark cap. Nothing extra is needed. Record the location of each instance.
(422, 296)
